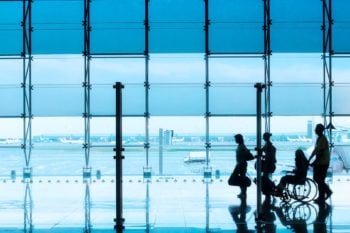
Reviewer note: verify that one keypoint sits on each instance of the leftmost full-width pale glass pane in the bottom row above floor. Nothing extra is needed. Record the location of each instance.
(58, 146)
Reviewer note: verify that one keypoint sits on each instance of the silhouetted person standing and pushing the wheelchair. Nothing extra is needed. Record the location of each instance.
(321, 164)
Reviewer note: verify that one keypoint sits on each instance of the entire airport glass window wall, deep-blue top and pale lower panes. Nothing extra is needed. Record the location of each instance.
(198, 99)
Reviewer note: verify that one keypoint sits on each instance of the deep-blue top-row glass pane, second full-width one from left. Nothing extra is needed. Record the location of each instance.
(117, 26)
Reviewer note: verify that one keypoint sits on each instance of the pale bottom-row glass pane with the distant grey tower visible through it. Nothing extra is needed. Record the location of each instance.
(179, 136)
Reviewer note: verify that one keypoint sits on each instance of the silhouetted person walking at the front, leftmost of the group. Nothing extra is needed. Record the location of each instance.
(239, 174)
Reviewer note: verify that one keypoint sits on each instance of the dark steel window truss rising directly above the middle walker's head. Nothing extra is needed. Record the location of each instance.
(266, 57)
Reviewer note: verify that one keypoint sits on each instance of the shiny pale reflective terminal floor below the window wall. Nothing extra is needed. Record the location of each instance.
(163, 204)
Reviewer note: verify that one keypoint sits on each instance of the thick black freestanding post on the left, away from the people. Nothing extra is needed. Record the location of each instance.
(119, 220)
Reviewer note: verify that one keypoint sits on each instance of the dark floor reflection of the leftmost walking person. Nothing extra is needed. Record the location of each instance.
(238, 214)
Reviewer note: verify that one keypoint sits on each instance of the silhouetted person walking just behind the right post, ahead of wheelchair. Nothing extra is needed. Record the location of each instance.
(268, 166)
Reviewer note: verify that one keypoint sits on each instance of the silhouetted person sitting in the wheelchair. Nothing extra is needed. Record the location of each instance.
(299, 173)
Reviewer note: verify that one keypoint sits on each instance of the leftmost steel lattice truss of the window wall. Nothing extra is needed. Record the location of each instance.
(27, 85)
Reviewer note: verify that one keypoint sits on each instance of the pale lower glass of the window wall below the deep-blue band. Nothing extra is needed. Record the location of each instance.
(177, 106)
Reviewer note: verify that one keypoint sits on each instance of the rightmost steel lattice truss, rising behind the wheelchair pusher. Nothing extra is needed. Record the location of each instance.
(327, 22)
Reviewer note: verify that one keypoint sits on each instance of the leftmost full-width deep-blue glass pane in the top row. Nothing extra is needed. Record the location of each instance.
(58, 27)
